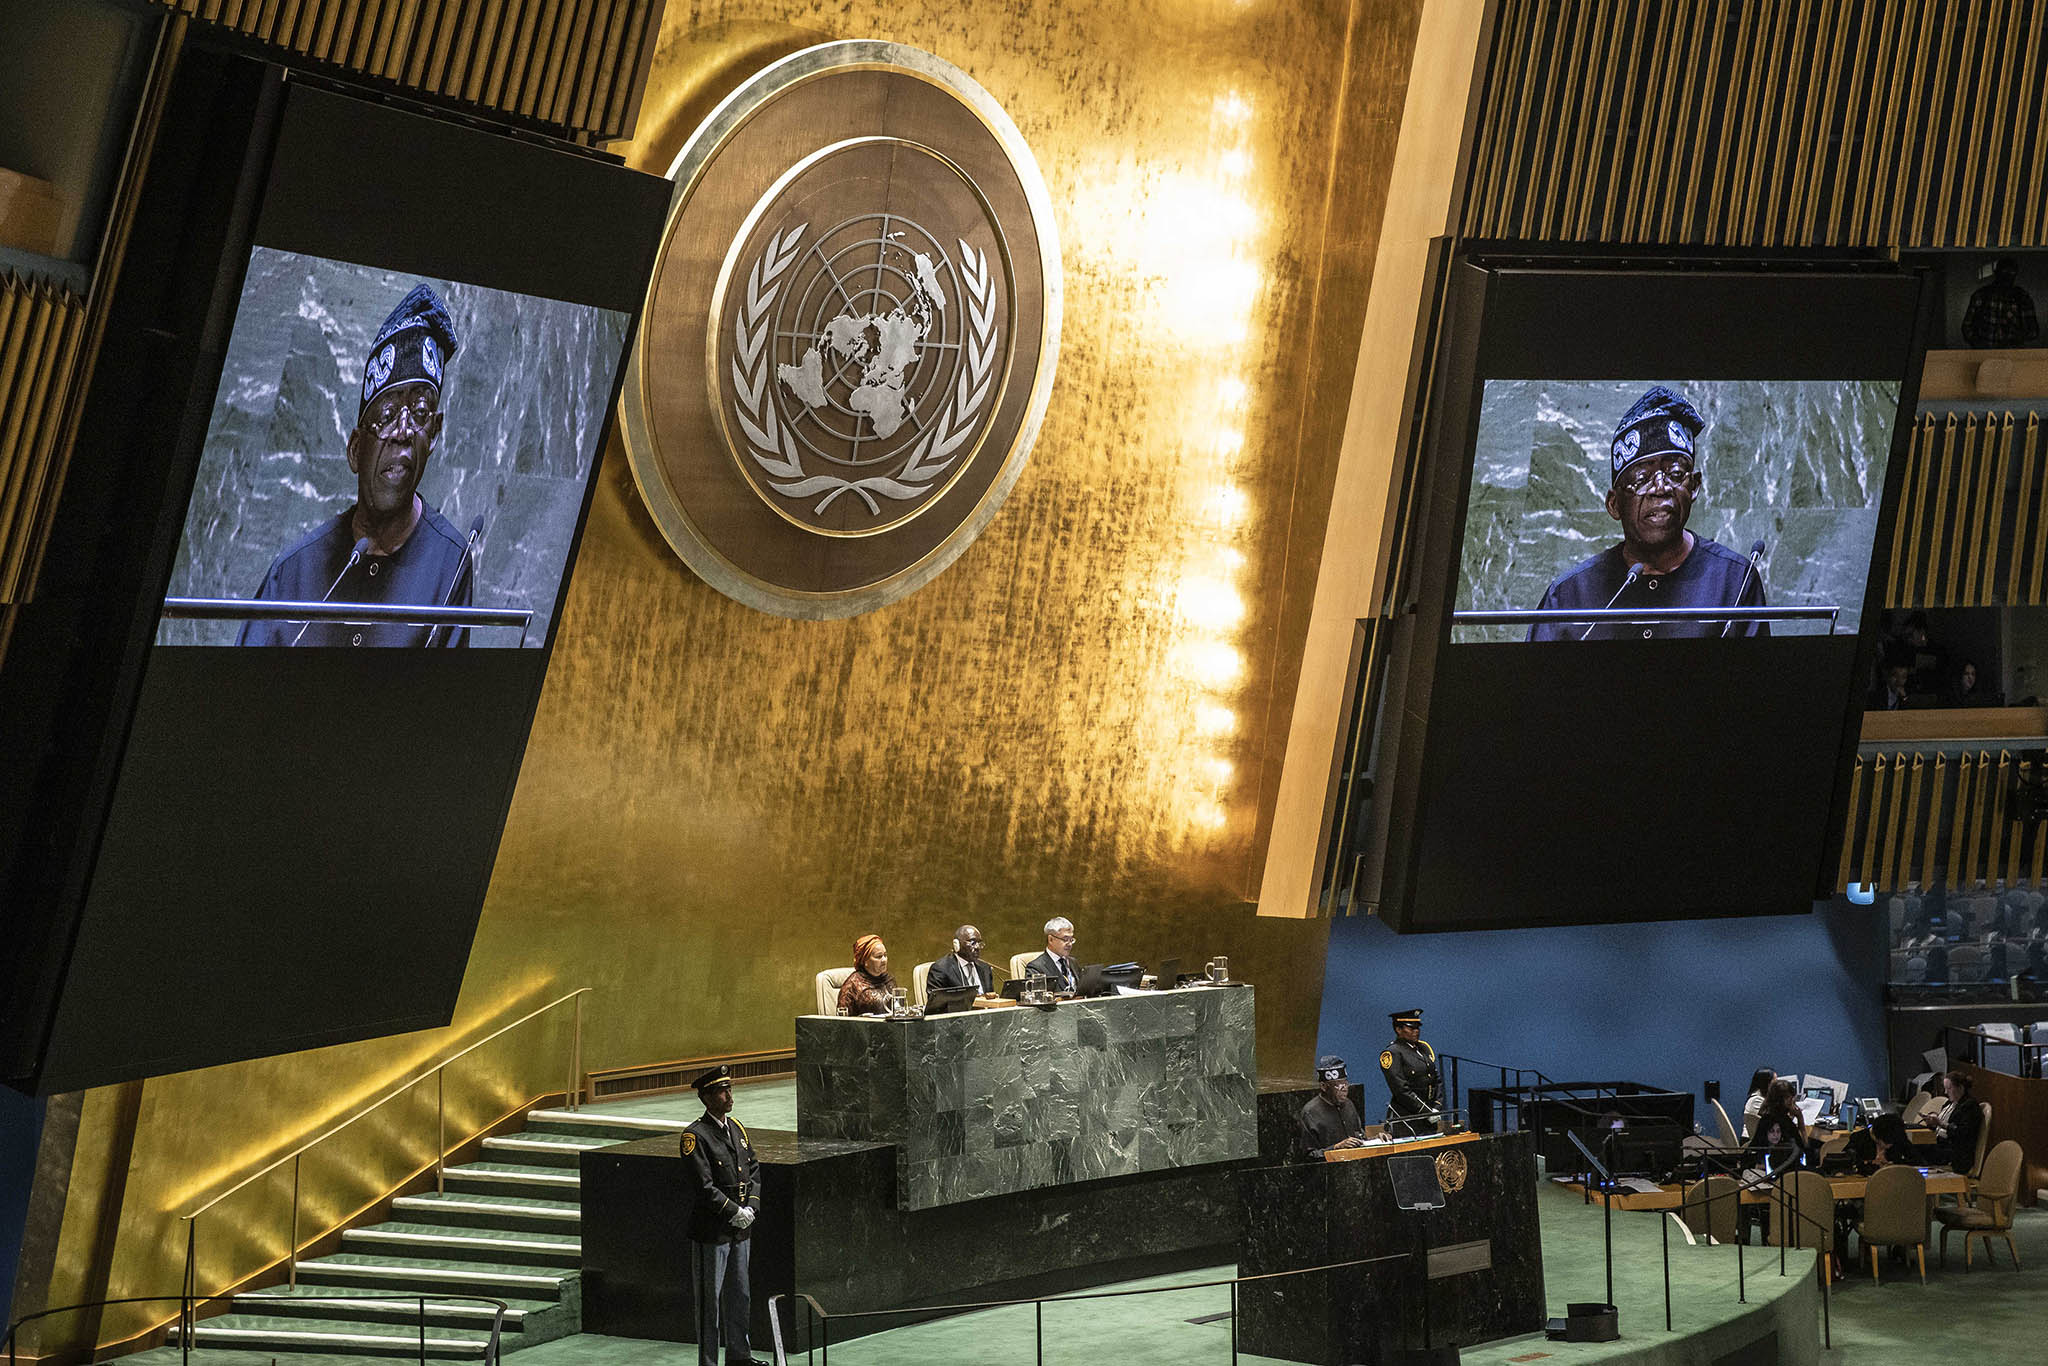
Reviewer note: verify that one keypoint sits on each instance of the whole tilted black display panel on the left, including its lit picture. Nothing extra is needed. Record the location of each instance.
(380, 353)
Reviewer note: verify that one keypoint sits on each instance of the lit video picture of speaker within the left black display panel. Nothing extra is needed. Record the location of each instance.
(407, 458)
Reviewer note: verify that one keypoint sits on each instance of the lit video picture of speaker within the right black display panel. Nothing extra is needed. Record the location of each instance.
(1672, 509)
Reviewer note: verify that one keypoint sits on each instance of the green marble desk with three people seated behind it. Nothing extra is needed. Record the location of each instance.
(994, 1103)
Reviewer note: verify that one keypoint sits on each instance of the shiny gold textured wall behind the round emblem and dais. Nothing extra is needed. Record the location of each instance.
(1082, 718)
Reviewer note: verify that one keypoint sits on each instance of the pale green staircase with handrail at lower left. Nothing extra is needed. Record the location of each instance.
(507, 1226)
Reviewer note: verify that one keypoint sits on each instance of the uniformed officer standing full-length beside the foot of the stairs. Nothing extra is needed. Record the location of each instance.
(730, 1185)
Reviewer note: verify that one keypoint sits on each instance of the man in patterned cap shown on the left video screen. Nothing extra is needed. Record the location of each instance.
(390, 546)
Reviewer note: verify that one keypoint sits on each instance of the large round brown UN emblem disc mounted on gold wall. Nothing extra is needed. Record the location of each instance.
(851, 331)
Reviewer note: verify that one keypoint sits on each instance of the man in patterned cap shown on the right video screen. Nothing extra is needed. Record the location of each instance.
(1658, 562)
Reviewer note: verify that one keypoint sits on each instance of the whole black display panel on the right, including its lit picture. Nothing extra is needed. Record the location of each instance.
(1650, 517)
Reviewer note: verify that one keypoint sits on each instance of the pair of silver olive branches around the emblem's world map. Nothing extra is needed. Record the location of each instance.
(771, 441)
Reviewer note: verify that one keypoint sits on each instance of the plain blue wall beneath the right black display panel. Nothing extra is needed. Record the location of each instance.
(1668, 1005)
